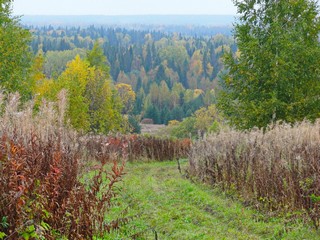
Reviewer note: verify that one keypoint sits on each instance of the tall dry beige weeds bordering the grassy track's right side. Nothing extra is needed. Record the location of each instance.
(278, 170)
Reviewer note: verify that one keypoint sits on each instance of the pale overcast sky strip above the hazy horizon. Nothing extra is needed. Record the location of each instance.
(122, 7)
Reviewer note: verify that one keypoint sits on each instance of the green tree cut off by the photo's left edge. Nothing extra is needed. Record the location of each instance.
(15, 55)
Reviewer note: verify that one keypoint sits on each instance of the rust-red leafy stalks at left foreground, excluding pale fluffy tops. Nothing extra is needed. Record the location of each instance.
(42, 196)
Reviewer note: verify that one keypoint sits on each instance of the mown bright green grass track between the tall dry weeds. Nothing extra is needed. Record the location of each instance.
(160, 201)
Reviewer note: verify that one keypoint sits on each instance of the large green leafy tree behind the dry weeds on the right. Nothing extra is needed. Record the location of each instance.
(275, 76)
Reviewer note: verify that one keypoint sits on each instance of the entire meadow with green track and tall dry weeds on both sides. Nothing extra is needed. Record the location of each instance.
(60, 184)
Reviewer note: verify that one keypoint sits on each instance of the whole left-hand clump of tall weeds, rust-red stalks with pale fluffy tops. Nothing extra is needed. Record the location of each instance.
(45, 191)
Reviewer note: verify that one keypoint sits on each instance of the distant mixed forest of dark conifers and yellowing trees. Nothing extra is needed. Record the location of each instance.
(171, 75)
